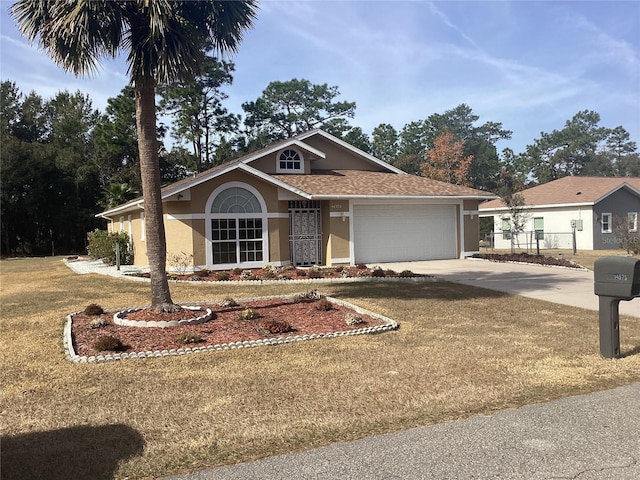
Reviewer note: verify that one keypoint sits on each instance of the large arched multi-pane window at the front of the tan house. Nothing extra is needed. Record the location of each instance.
(237, 225)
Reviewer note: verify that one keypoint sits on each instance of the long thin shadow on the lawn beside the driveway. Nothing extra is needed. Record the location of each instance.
(415, 291)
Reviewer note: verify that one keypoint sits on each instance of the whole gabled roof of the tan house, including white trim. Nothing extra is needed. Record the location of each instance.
(390, 182)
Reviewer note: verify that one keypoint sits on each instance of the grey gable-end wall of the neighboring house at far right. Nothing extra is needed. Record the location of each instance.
(619, 204)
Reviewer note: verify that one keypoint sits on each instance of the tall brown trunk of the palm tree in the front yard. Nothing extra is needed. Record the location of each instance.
(151, 192)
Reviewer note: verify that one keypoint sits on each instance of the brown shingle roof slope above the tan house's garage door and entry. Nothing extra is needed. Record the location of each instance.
(367, 183)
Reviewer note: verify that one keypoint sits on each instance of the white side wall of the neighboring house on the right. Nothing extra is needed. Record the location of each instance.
(557, 228)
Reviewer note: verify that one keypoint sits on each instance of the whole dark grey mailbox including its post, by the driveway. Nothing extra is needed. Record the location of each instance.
(615, 279)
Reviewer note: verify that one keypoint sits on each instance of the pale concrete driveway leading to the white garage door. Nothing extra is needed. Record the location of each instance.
(559, 285)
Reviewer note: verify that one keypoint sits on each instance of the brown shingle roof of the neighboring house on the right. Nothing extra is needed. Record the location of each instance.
(569, 190)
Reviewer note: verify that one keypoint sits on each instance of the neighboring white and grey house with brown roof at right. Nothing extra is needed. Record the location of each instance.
(599, 209)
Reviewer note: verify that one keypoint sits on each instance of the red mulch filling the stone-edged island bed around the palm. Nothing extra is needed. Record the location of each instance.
(224, 327)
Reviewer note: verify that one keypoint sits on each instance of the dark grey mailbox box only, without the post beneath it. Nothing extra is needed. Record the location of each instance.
(617, 277)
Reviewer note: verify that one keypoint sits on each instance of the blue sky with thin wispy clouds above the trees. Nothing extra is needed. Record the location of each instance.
(529, 65)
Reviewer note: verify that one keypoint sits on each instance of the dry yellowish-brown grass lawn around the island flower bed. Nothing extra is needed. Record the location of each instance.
(460, 351)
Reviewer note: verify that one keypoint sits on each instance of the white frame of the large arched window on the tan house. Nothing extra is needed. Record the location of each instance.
(208, 217)
